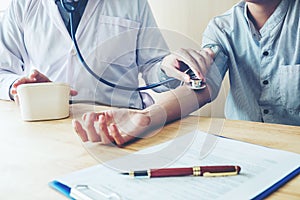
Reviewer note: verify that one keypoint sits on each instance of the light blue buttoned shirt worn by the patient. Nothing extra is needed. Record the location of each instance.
(264, 65)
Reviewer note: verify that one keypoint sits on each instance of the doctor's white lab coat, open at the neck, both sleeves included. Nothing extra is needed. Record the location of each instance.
(112, 37)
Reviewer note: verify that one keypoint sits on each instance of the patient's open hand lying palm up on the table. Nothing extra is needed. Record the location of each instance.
(114, 126)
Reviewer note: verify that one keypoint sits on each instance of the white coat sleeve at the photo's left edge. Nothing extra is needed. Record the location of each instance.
(11, 48)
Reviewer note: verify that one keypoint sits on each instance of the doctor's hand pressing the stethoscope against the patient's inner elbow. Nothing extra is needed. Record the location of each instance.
(198, 61)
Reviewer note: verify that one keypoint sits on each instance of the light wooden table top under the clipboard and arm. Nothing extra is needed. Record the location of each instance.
(34, 153)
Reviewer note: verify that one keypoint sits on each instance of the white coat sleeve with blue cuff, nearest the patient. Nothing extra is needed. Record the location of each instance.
(151, 49)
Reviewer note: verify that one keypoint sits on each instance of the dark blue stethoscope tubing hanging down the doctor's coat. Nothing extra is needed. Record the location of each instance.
(71, 7)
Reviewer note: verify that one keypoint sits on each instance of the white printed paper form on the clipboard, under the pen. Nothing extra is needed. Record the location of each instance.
(261, 168)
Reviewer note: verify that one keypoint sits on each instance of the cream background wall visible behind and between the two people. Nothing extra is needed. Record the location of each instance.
(187, 19)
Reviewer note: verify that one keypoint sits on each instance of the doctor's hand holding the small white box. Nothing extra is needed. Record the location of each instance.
(34, 77)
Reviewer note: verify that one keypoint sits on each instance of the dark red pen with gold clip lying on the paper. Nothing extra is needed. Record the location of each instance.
(227, 170)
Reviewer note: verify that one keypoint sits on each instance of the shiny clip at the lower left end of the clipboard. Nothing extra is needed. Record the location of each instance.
(86, 192)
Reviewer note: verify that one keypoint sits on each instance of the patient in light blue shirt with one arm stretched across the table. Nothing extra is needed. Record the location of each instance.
(260, 47)
